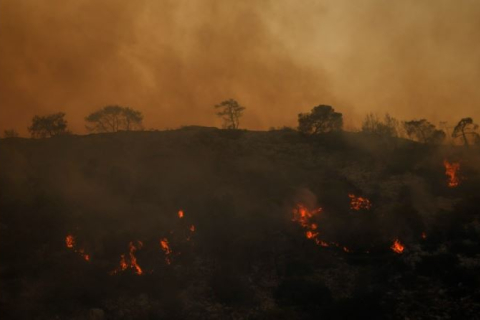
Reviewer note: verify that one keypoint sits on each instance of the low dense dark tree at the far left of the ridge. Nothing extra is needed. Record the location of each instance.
(48, 126)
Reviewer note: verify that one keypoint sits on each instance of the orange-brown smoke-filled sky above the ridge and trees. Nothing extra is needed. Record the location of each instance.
(174, 59)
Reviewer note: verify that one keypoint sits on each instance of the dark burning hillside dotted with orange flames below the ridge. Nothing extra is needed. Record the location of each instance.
(200, 223)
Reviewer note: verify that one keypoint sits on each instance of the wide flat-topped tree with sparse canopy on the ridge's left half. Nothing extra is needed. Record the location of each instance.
(113, 119)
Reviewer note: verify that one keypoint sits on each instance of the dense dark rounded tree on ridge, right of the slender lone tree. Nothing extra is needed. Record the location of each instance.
(321, 119)
